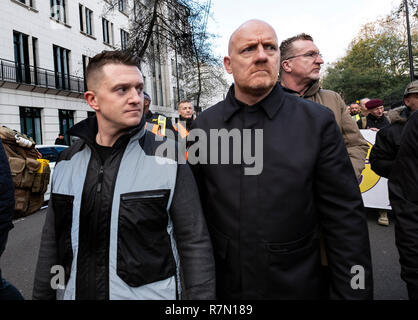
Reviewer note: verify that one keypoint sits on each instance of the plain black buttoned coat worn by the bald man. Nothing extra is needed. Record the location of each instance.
(265, 227)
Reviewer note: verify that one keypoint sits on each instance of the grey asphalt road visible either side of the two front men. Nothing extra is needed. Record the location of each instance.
(18, 262)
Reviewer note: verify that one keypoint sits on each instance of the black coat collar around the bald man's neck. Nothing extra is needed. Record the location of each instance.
(270, 104)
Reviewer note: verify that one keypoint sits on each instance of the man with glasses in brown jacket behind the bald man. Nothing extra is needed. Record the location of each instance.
(299, 75)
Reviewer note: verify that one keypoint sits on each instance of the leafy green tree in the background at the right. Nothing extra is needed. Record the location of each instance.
(377, 63)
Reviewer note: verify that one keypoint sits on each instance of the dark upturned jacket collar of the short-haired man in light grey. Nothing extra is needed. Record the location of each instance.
(87, 130)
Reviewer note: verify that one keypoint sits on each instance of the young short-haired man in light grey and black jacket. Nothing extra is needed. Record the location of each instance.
(123, 222)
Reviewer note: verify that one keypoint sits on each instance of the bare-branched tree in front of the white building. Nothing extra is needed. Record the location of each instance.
(179, 26)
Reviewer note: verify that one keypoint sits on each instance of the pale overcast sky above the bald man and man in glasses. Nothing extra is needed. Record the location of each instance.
(332, 23)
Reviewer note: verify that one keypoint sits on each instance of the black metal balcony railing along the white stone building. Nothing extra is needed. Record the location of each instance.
(13, 72)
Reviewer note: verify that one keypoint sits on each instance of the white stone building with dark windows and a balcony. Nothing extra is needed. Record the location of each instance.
(44, 49)
